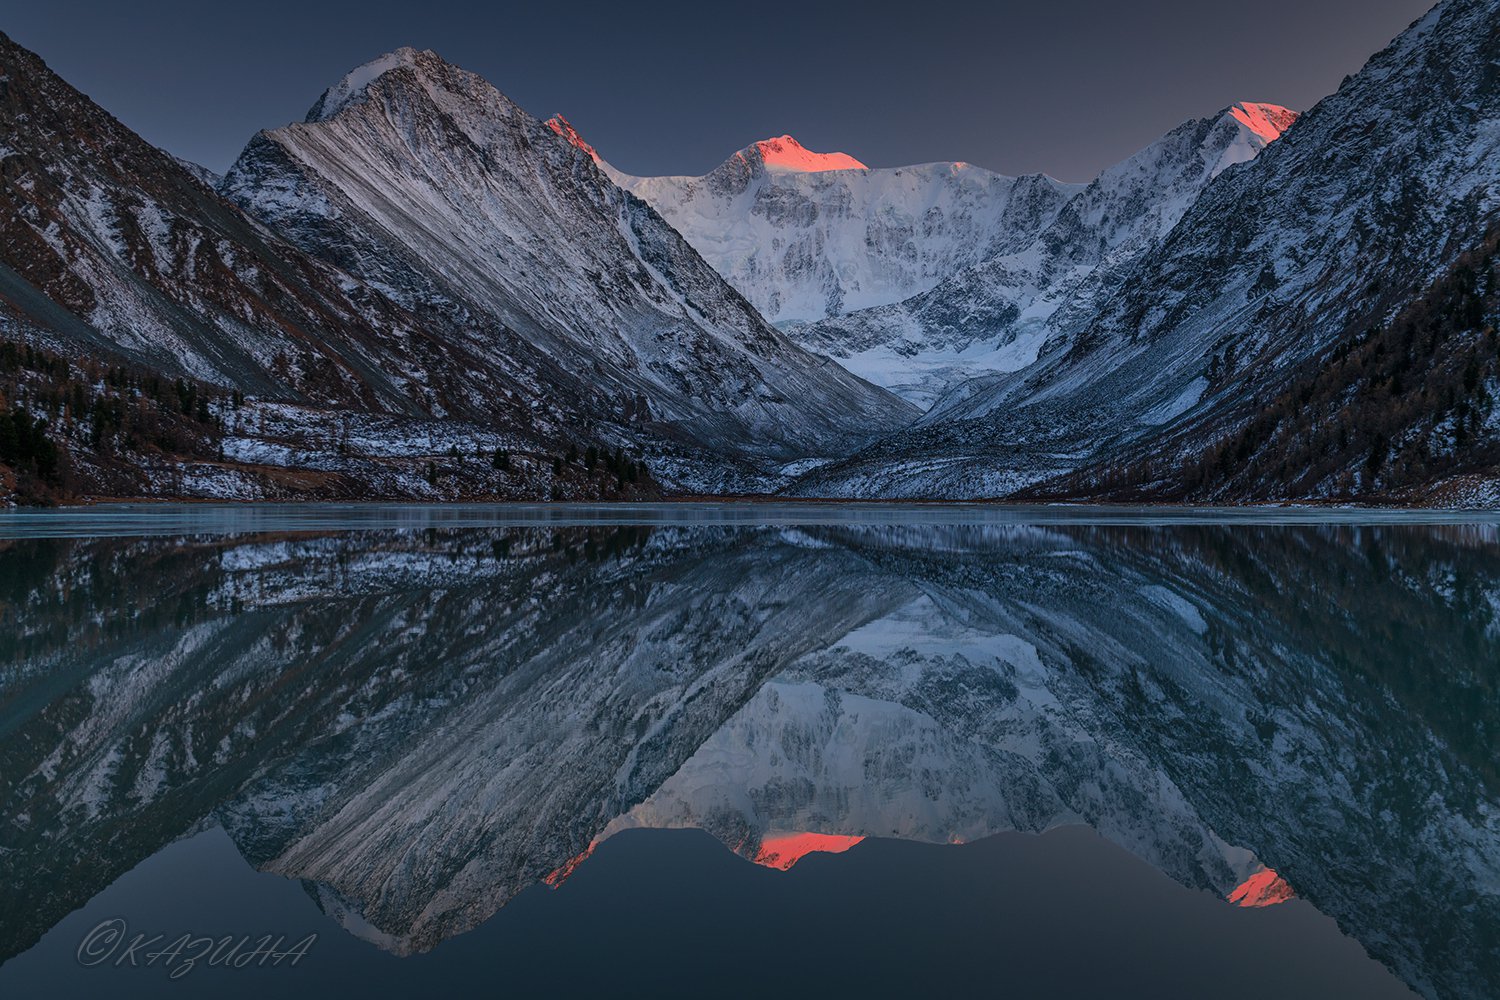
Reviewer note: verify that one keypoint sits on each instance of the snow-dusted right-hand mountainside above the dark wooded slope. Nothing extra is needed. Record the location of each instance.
(1280, 265)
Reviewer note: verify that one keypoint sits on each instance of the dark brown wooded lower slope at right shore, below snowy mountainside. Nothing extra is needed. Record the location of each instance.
(1399, 412)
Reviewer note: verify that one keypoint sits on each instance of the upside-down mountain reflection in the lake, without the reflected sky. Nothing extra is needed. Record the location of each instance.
(424, 723)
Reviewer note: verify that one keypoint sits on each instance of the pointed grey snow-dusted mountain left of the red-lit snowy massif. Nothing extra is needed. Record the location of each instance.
(425, 182)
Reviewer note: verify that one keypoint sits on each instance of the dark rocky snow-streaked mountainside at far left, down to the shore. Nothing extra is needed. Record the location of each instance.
(119, 257)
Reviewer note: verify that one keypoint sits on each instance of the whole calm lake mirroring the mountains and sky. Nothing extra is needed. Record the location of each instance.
(749, 750)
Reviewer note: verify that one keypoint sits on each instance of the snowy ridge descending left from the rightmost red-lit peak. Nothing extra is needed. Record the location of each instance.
(994, 316)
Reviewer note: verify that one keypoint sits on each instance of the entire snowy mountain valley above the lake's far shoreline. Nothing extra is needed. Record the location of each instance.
(425, 293)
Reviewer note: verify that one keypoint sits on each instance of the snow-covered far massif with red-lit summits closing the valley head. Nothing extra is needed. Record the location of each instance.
(812, 238)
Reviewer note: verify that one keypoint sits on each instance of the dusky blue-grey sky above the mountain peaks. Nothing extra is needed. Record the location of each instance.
(1058, 86)
